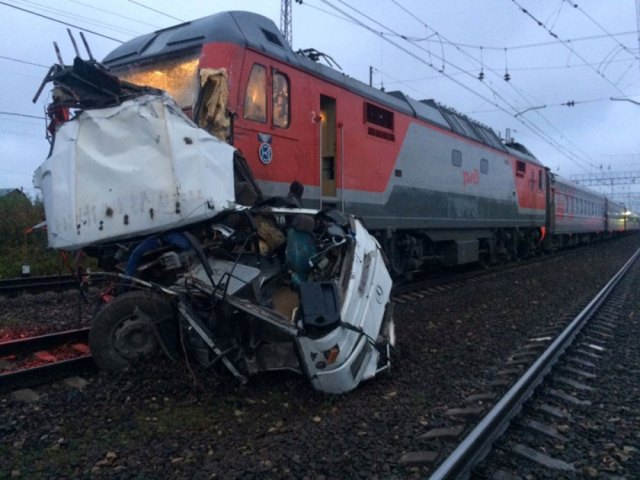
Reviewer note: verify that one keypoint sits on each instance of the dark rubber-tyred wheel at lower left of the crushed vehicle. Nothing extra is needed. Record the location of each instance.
(125, 330)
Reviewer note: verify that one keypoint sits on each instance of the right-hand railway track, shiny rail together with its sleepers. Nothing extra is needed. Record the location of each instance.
(547, 366)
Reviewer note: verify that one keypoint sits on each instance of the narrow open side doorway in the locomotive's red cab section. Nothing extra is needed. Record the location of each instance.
(328, 151)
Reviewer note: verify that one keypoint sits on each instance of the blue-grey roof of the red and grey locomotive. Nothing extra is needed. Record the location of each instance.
(261, 34)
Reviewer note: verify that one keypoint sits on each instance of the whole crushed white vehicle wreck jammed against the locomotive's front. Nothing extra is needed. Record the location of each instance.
(202, 264)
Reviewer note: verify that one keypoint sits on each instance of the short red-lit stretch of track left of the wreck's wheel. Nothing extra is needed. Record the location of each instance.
(38, 360)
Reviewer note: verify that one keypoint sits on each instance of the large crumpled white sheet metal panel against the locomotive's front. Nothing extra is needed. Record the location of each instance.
(133, 169)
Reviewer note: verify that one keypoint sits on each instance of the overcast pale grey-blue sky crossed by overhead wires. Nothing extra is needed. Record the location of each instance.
(554, 52)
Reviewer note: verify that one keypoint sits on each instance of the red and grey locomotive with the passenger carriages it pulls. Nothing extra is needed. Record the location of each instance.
(431, 183)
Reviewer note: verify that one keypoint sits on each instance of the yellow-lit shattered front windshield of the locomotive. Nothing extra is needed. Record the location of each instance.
(176, 77)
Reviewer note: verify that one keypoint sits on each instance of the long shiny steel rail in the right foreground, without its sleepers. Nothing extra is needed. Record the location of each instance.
(475, 446)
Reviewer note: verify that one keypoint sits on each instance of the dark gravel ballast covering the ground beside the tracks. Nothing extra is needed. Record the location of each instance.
(171, 420)
